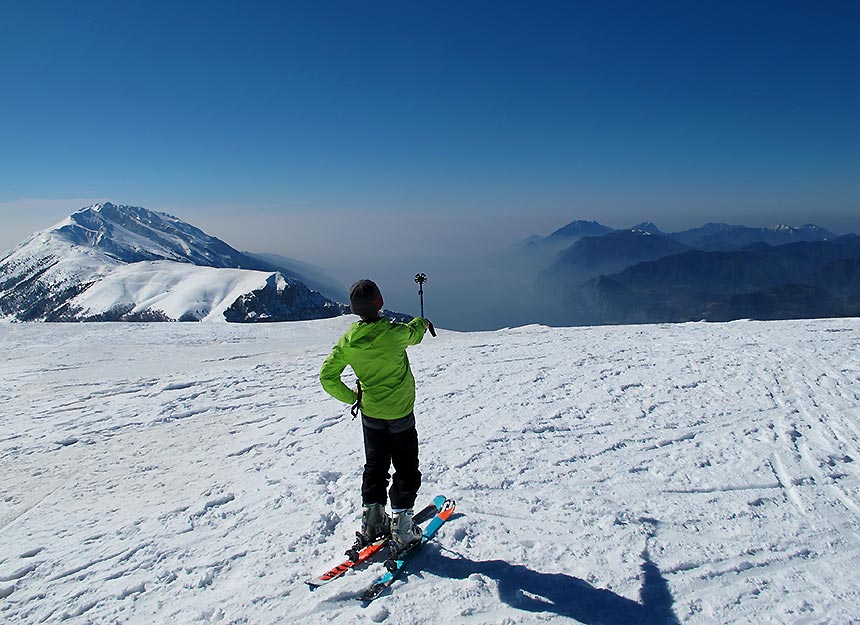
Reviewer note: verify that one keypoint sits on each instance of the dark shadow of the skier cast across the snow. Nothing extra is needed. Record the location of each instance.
(532, 591)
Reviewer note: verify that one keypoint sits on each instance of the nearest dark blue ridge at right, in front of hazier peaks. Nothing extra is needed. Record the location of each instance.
(797, 280)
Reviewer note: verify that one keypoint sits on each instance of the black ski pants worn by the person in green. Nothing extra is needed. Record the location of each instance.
(385, 443)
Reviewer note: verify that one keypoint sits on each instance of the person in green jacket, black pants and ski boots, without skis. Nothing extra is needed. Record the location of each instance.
(375, 348)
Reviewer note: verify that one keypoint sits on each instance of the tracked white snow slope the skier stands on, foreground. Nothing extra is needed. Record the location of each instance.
(197, 473)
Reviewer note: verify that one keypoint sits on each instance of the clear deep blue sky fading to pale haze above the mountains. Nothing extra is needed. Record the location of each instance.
(326, 130)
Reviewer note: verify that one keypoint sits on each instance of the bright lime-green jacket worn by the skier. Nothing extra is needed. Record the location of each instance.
(376, 351)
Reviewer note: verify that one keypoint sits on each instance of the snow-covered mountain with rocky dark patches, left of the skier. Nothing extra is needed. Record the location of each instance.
(110, 262)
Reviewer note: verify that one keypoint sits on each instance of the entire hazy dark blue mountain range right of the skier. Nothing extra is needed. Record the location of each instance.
(717, 272)
